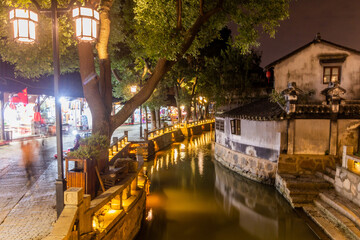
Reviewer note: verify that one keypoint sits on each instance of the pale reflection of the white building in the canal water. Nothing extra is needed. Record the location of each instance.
(262, 213)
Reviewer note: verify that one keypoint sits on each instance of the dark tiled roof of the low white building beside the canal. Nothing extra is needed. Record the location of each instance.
(261, 110)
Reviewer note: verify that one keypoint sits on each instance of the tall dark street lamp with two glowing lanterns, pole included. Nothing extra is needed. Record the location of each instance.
(24, 22)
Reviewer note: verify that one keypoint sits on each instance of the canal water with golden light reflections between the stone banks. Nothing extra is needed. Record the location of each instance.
(194, 197)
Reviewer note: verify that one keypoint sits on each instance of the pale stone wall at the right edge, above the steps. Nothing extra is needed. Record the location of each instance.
(347, 184)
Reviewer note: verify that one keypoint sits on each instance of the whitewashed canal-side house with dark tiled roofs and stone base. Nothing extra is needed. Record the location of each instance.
(318, 111)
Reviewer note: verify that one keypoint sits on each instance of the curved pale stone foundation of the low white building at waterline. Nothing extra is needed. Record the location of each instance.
(258, 169)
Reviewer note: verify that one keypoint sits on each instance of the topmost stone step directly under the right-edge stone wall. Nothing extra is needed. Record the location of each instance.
(342, 205)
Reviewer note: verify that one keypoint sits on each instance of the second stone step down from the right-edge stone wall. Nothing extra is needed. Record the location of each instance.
(345, 224)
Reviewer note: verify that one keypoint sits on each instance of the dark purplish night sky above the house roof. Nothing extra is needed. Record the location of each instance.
(337, 21)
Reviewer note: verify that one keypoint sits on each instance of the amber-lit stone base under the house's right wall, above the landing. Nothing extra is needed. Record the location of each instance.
(305, 164)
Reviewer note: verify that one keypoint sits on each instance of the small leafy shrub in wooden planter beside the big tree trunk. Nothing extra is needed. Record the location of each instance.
(91, 147)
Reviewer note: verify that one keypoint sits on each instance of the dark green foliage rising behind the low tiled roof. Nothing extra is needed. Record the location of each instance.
(229, 75)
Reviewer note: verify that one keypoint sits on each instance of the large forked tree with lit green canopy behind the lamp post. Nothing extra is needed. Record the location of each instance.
(163, 30)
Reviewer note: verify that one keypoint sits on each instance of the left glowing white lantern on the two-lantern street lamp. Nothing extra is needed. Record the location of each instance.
(24, 22)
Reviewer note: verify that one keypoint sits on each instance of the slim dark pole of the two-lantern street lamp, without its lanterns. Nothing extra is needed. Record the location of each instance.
(60, 182)
